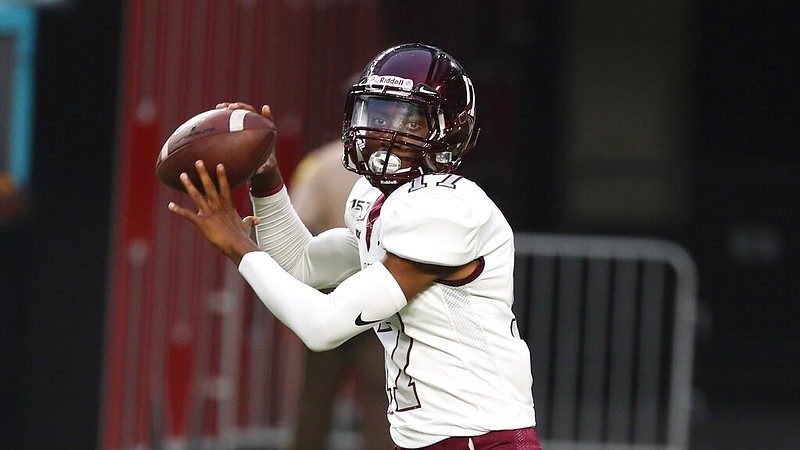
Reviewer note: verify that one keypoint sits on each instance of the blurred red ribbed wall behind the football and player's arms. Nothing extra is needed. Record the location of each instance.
(182, 328)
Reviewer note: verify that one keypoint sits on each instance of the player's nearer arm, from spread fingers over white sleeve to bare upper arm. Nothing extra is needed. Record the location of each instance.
(322, 321)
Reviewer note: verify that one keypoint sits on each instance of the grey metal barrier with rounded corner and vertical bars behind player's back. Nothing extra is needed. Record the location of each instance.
(610, 322)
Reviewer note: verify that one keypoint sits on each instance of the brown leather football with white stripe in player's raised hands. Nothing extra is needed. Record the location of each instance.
(242, 140)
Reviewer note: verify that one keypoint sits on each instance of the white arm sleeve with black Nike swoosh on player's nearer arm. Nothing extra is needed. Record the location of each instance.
(323, 321)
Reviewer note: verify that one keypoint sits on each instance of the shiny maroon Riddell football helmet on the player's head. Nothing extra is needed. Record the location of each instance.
(411, 112)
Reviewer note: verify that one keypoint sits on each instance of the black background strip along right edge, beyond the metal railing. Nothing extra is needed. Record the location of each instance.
(747, 191)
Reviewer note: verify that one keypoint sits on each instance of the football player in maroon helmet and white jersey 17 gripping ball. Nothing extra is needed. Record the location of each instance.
(425, 261)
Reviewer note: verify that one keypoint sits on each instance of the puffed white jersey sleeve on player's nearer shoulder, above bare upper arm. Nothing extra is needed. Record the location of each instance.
(434, 225)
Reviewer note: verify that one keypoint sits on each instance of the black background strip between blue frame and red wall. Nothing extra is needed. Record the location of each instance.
(55, 260)
